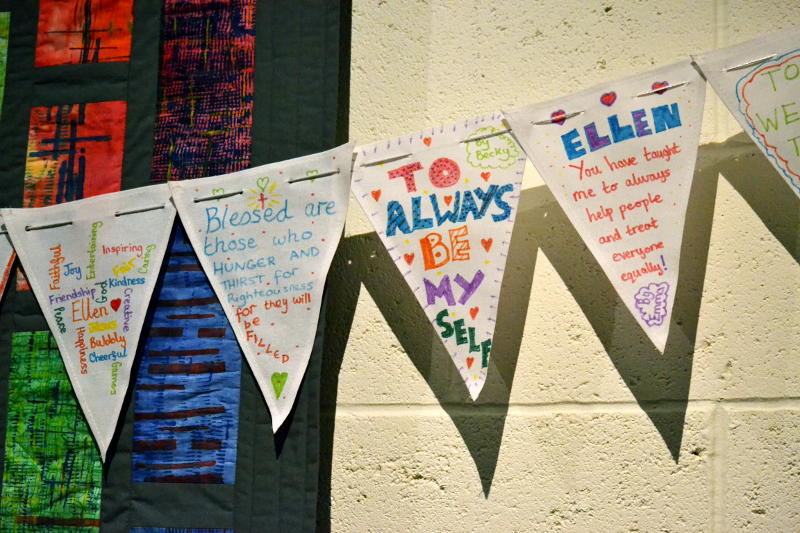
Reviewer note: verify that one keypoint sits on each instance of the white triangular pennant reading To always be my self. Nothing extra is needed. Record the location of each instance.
(443, 201)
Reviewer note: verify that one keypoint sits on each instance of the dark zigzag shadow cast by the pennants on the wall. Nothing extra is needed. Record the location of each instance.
(659, 383)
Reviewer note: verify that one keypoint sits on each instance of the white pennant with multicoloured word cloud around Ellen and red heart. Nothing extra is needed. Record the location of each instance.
(93, 264)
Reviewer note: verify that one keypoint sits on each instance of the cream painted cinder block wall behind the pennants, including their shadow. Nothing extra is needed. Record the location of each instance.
(582, 427)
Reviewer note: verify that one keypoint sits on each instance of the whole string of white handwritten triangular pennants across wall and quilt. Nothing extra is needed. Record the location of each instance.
(619, 159)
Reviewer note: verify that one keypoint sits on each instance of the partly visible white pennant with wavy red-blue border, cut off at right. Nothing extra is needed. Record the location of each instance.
(759, 81)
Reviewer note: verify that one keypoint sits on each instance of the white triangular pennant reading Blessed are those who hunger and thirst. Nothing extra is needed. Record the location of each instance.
(266, 237)
